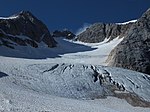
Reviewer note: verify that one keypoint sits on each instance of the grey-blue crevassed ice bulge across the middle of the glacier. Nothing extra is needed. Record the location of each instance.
(79, 81)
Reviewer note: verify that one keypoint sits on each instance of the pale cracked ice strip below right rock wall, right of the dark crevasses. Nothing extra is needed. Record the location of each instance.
(133, 81)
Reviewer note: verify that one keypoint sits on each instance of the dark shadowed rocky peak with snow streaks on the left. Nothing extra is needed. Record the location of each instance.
(14, 29)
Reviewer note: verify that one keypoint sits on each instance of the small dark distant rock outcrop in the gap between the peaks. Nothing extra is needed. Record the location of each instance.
(66, 33)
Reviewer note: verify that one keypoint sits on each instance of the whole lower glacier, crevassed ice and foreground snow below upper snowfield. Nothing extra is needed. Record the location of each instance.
(27, 85)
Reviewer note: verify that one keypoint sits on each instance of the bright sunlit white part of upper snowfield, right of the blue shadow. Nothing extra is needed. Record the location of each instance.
(96, 56)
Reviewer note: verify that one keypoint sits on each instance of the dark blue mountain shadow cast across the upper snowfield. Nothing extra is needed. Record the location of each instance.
(63, 47)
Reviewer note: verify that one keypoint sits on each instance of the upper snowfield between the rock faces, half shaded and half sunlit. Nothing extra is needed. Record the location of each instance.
(66, 51)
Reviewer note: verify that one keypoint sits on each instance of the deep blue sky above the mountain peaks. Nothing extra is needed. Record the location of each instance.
(73, 14)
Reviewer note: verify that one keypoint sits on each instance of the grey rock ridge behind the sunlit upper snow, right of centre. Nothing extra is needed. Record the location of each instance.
(99, 31)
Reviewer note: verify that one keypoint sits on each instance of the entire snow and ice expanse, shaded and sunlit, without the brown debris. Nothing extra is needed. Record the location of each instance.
(65, 83)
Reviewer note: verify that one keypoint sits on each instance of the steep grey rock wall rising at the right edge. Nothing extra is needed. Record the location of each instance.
(134, 51)
